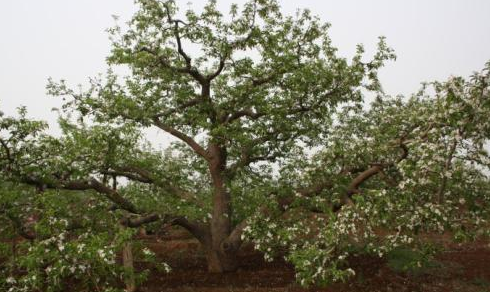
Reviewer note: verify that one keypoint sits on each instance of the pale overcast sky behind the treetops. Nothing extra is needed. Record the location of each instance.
(433, 39)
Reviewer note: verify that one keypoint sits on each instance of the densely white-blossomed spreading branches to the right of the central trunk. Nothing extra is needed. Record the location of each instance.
(386, 174)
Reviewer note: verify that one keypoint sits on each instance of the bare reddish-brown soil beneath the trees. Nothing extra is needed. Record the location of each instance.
(460, 268)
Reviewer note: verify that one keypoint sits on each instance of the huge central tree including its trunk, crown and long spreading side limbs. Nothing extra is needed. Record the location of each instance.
(251, 107)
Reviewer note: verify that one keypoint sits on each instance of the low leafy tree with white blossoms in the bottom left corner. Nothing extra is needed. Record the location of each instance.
(70, 241)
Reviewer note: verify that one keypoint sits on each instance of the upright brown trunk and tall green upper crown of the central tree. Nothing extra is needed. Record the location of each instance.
(237, 89)
